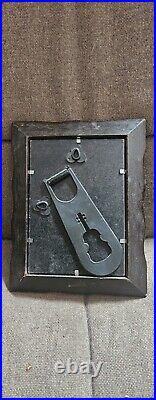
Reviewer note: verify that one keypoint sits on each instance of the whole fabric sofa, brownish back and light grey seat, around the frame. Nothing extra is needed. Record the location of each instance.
(84, 61)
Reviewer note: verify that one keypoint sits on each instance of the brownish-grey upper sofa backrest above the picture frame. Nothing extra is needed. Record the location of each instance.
(74, 61)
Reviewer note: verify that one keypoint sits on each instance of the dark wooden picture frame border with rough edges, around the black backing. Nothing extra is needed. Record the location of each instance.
(134, 283)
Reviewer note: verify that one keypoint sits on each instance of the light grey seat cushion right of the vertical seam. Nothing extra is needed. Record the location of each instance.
(122, 337)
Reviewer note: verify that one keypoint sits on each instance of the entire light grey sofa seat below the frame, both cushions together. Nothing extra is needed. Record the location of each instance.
(40, 329)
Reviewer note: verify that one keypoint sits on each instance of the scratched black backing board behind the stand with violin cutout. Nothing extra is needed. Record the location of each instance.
(52, 252)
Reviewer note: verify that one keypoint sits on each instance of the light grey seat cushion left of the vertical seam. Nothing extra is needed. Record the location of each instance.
(40, 330)
